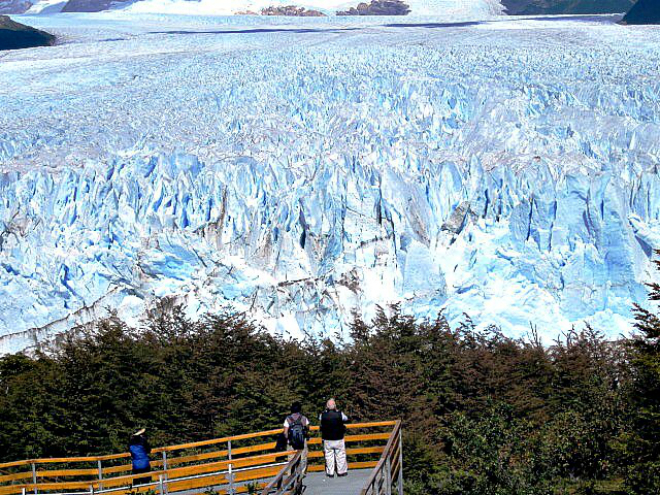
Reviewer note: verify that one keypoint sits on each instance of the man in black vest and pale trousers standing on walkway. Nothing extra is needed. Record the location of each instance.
(333, 429)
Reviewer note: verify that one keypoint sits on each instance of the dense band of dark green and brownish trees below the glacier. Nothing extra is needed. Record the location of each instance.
(483, 414)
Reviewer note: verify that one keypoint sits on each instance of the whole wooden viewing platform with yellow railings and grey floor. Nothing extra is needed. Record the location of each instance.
(238, 464)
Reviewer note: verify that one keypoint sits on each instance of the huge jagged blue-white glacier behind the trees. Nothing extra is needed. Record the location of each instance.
(300, 169)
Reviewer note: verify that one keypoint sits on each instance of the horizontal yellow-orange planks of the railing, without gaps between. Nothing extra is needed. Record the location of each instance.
(250, 462)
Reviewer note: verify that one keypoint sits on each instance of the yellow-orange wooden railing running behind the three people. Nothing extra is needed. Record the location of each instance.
(233, 464)
